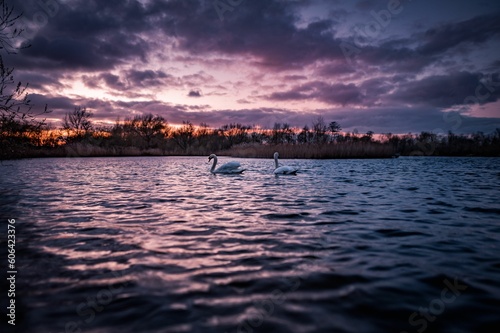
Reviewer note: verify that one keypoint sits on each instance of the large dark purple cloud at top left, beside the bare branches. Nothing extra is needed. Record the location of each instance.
(89, 35)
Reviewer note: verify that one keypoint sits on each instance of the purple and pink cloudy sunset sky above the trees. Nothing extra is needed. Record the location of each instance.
(386, 66)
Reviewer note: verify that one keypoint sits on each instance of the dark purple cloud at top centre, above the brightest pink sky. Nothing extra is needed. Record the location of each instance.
(263, 29)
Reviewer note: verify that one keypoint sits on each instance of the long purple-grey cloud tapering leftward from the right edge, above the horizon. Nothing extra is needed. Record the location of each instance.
(442, 91)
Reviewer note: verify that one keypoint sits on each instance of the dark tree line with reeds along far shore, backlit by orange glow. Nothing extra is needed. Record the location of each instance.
(149, 134)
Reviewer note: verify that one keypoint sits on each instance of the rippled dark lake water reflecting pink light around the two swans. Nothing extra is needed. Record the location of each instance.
(158, 244)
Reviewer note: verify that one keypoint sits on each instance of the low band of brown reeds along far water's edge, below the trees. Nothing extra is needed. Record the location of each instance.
(336, 150)
